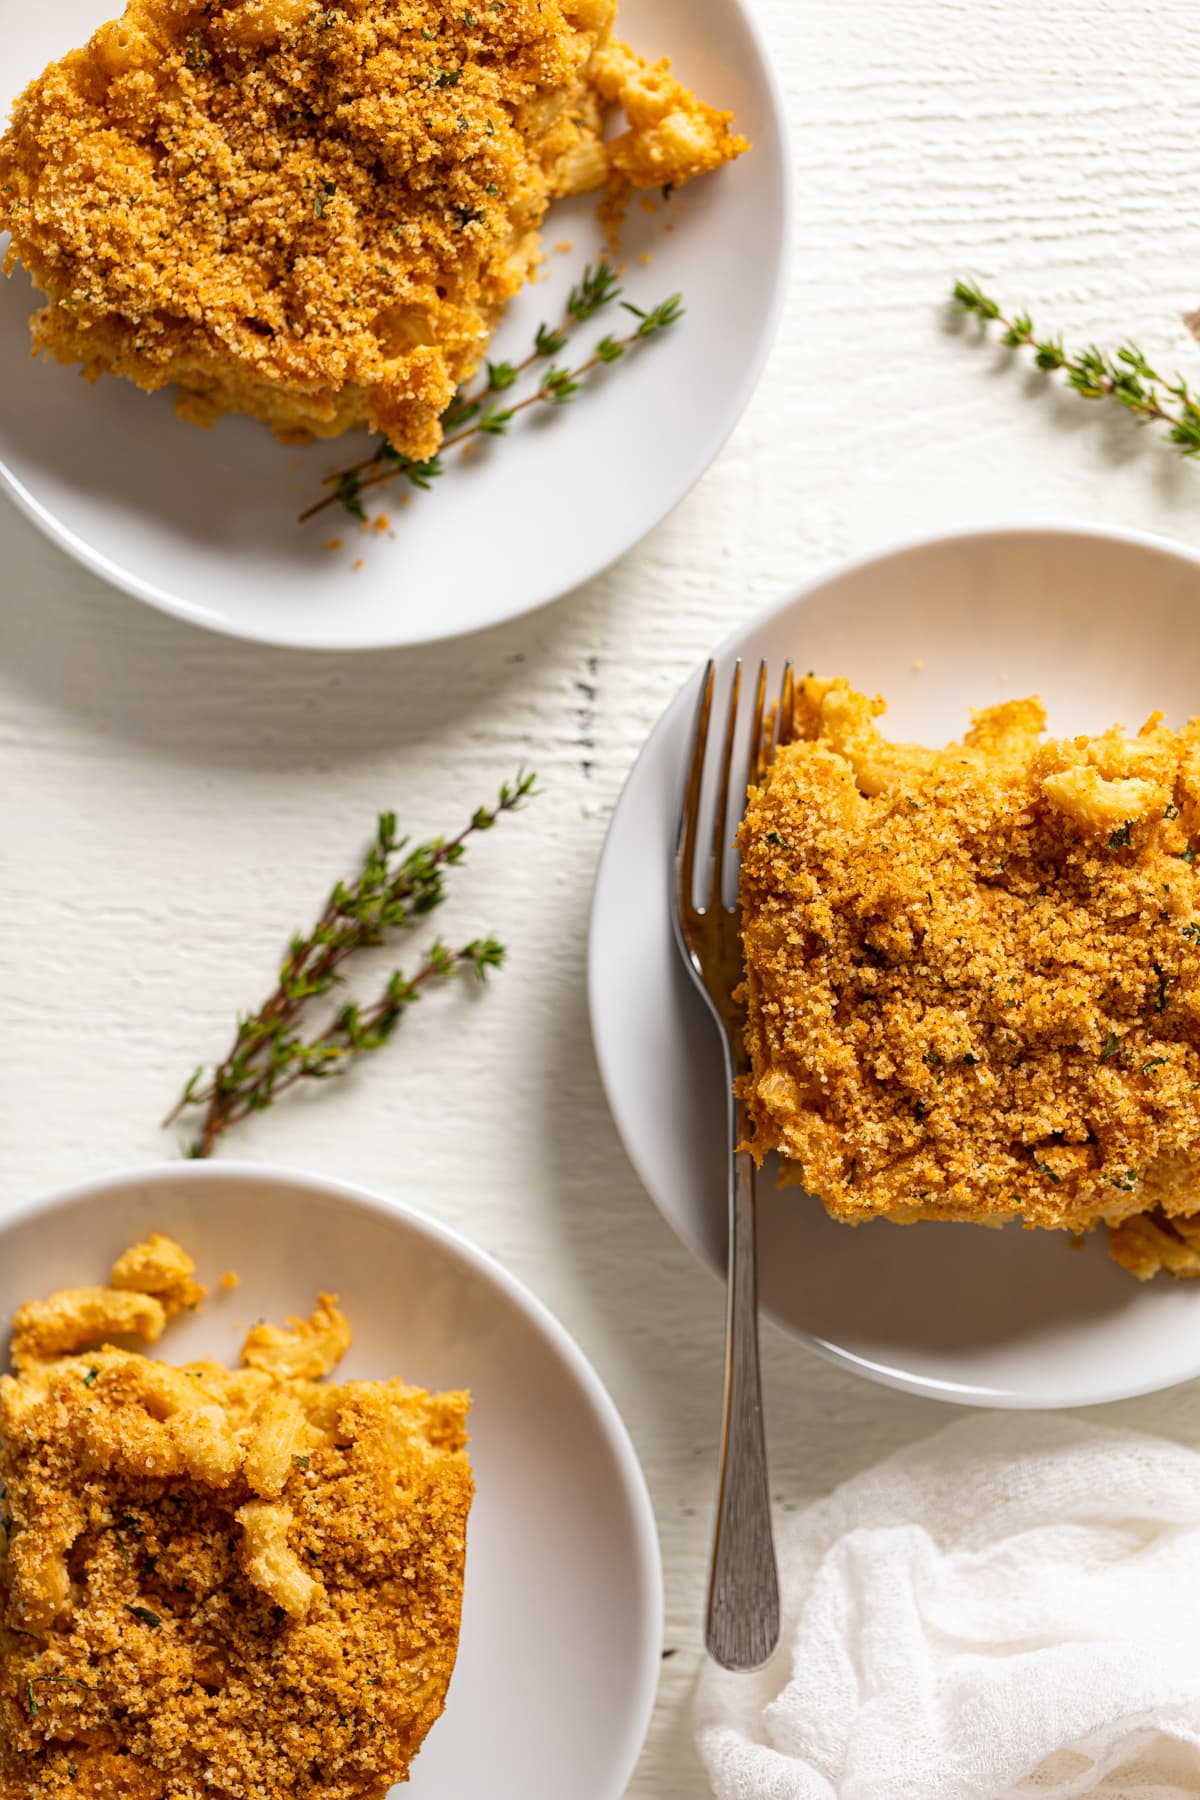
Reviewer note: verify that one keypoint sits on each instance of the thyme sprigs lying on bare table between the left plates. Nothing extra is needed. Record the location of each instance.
(274, 1048)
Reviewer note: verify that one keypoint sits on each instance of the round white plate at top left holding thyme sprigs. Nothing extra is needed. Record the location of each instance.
(204, 525)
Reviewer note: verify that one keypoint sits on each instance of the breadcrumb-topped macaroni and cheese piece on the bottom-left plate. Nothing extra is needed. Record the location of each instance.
(219, 1583)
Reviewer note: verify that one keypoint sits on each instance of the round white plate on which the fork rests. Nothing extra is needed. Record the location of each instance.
(1102, 625)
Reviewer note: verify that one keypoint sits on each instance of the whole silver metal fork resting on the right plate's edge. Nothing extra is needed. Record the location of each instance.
(744, 1587)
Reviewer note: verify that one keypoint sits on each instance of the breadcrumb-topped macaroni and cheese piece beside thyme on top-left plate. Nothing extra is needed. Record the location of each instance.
(314, 213)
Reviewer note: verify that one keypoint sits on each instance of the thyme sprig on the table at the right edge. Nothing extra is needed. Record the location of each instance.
(1127, 379)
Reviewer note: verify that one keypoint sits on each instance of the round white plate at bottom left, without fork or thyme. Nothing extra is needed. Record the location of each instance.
(562, 1621)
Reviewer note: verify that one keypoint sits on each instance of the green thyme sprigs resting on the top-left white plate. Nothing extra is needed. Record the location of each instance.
(472, 415)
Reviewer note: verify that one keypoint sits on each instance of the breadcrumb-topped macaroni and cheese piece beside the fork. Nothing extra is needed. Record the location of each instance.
(974, 973)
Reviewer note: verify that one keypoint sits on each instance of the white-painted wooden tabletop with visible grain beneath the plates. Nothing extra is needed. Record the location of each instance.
(175, 804)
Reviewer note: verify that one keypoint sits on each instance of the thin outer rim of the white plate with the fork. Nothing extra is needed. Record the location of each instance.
(884, 1374)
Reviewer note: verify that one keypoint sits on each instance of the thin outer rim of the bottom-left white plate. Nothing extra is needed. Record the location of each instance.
(616, 1434)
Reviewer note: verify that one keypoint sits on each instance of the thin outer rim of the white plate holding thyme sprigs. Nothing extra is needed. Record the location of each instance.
(129, 582)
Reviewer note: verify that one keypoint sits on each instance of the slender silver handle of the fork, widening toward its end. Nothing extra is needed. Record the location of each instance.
(744, 1587)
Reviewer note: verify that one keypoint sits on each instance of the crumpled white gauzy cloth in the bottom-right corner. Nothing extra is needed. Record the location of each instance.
(1010, 1608)
